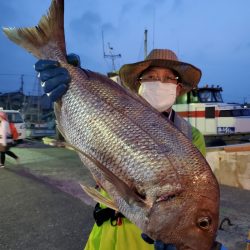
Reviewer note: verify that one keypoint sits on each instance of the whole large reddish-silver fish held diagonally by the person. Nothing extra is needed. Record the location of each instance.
(150, 169)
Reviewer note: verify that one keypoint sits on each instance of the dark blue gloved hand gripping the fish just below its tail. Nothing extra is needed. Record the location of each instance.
(54, 78)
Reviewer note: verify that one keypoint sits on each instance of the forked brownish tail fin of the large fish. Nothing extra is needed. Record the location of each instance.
(48, 34)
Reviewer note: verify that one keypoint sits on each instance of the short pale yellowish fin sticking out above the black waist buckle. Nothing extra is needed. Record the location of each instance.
(98, 197)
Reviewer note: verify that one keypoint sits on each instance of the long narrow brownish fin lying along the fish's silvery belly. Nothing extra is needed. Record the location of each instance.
(127, 193)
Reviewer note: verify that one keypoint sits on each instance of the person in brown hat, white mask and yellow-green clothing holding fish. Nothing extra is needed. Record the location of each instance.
(159, 79)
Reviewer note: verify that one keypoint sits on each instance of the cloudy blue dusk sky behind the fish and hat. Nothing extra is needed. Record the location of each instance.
(213, 35)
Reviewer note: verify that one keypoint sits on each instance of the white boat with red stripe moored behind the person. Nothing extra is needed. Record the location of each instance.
(220, 122)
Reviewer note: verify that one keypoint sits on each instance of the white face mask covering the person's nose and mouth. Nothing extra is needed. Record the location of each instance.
(160, 95)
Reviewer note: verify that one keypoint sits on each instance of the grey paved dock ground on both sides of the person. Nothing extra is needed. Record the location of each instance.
(43, 207)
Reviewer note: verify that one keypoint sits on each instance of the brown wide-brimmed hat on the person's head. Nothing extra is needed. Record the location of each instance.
(189, 74)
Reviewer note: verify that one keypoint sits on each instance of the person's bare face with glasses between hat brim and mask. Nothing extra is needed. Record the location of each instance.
(161, 74)
